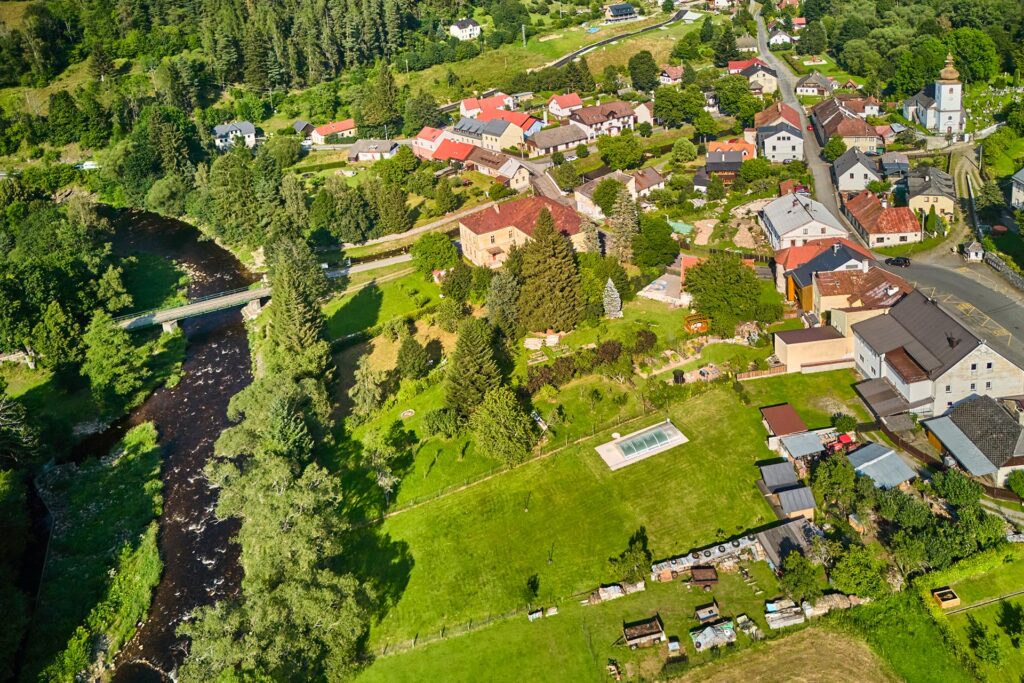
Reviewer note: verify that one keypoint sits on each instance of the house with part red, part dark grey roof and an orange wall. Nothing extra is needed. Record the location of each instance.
(795, 267)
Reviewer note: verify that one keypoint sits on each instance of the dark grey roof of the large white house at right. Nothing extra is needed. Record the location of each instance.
(929, 335)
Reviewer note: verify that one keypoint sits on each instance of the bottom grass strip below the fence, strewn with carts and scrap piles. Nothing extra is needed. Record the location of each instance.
(576, 645)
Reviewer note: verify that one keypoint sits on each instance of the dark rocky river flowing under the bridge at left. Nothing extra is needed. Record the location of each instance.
(200, 563)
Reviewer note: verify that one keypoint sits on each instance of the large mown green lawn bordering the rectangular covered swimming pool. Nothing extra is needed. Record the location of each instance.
(473, 552)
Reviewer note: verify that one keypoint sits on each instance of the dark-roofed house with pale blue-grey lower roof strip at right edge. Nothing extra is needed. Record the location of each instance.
(982, 437)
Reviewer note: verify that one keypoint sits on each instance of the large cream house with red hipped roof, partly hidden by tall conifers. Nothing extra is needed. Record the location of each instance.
(487, 236)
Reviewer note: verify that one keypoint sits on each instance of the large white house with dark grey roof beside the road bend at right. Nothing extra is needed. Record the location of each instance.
(921, 360)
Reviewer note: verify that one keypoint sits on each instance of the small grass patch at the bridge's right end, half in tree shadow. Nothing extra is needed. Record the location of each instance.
(377, 304)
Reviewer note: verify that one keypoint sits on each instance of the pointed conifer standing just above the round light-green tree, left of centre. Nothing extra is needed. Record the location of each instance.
(473, 371)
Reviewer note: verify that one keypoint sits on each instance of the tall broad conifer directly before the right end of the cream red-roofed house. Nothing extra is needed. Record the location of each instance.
(550, 296)
